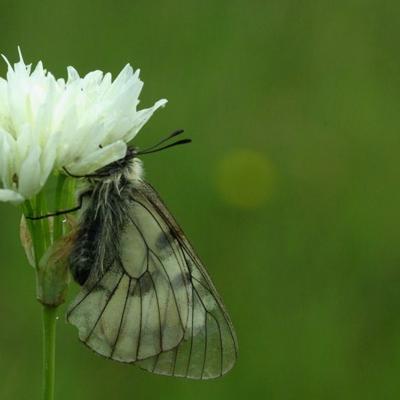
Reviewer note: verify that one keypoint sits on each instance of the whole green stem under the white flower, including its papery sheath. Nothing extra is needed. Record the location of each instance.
(50, 259)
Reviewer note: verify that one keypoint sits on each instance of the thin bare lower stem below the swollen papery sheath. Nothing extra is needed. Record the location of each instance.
(49, 350)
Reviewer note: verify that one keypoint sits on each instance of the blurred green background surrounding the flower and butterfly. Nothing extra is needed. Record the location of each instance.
(290, 190)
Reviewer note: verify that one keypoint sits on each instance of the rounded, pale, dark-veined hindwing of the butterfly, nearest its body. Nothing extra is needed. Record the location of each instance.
(140, 306)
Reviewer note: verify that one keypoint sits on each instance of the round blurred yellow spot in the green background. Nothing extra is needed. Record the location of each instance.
(245, 178)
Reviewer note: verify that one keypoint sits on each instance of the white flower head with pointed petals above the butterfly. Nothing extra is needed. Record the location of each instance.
(46, 124)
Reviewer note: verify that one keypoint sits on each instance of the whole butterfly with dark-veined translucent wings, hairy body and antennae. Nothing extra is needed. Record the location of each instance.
(145, 296)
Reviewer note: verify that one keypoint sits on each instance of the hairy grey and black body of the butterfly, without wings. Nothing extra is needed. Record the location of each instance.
(105, 204)
